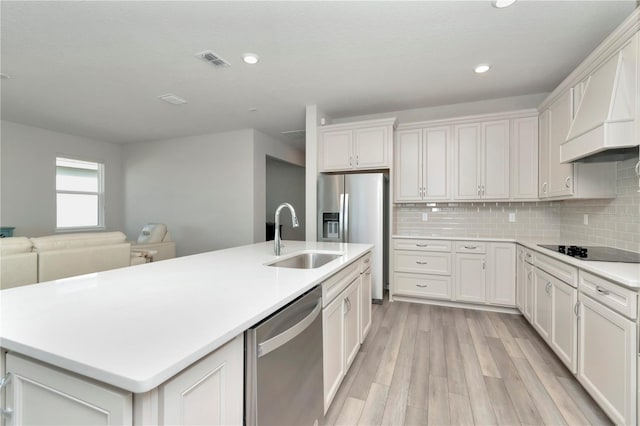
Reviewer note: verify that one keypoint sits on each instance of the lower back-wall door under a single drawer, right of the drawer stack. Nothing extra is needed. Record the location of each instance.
(470, 278)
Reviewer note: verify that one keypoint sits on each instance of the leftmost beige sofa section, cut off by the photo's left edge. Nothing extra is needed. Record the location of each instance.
(18, 262)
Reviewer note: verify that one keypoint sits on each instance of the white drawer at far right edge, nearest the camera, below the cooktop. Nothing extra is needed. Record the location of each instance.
(618, 298)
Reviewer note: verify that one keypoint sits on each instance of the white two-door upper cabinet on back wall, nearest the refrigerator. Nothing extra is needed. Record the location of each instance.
(422, 164)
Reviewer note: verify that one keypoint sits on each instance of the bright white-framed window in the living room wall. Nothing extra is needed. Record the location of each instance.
(79, 194)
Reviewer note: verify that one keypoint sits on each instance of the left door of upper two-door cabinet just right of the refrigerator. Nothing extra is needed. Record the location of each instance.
(408, 170)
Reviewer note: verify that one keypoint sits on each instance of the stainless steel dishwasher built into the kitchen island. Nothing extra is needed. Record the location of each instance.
(283, 366)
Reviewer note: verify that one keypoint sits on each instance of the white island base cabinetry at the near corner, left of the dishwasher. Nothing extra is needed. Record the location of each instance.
(211, 391)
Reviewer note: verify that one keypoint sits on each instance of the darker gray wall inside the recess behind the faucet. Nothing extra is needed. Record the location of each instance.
(285, 183)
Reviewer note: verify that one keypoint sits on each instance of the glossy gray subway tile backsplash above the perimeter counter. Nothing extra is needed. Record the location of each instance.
(612, 222)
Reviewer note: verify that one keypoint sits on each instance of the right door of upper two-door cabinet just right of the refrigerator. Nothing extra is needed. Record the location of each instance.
(436, 164)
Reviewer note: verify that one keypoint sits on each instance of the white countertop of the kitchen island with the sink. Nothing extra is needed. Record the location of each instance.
(136, 327)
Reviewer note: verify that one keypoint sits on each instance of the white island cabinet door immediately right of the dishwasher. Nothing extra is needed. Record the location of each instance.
(333, 348)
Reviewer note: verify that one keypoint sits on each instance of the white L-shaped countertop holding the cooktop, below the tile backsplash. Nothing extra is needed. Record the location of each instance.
(626, 274)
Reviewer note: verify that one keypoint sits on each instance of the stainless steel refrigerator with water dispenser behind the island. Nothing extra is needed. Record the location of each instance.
(353, 208)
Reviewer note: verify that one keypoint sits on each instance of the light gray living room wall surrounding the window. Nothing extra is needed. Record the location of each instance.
(28, 177)
